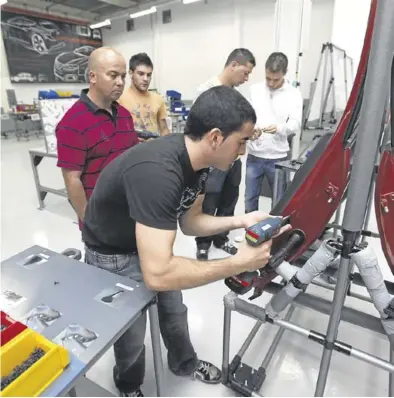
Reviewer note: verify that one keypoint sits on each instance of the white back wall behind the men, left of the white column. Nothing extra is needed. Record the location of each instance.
(194, 47)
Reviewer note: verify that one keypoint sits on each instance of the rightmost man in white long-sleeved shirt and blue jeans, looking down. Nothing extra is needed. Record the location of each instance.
(278, 105)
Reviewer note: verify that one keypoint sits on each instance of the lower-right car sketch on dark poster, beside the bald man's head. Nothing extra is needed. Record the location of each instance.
(72, 66)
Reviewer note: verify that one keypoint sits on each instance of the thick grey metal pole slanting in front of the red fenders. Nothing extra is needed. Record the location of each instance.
(367, 144)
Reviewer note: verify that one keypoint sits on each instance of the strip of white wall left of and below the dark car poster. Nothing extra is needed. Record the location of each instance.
(27, 92)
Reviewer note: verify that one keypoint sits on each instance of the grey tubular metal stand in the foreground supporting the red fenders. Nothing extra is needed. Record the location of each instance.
(248, 381)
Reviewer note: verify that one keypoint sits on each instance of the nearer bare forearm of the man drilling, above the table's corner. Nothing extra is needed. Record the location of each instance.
(184, 273)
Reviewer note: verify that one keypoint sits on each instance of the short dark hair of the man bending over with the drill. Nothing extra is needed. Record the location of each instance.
(219, 107)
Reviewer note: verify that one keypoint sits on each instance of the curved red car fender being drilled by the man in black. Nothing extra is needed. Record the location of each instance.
(317, 198)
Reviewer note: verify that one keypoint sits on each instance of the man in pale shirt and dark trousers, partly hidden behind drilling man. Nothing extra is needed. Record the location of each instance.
(222, 189)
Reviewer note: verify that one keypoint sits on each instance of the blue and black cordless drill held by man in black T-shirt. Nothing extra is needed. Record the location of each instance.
(256, 235)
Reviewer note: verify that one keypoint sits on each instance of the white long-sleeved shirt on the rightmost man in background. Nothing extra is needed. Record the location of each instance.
(281, 107)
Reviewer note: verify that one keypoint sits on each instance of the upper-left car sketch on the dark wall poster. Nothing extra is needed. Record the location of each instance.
(40, 36)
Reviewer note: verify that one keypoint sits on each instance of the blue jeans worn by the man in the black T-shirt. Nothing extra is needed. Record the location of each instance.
(129, 349)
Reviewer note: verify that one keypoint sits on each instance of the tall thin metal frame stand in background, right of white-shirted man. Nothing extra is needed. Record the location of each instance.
(327, 54)
